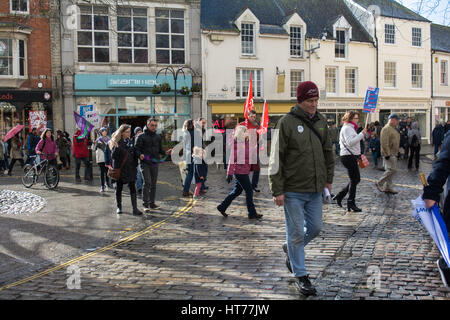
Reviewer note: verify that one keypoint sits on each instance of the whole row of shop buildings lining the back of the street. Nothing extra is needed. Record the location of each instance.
(103, 59)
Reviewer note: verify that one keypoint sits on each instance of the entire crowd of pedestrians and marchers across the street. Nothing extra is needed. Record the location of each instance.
(301, 170)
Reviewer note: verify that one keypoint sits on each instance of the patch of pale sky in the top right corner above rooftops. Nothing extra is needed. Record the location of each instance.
(438, 11)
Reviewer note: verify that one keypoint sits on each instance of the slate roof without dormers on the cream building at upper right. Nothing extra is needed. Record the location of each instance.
(393, 9)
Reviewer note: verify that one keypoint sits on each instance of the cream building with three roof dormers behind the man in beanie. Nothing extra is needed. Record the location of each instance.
(279, 52)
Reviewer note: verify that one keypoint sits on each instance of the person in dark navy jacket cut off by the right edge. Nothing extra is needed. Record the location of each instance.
(431, 194)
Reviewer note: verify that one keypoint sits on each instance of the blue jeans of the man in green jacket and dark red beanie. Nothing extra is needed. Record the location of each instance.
(303, 212)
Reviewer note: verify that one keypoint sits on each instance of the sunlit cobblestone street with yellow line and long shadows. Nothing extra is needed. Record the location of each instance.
(187, 250)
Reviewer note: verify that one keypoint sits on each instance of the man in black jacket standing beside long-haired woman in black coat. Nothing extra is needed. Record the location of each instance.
(149, 149)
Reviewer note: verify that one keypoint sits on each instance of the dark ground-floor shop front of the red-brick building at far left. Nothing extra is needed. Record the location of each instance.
(31, 108)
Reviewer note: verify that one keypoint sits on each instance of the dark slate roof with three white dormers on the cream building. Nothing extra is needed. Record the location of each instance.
(319, 15)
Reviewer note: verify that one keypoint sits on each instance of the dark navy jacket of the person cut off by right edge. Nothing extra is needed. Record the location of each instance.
(439, 175)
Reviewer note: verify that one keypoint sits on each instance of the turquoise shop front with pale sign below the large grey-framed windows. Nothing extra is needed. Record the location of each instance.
(113, 99)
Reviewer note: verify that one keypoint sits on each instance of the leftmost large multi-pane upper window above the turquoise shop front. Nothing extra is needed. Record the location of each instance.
(93, 35)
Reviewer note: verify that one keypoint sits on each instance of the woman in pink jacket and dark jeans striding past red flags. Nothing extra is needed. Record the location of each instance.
(239, 168)
